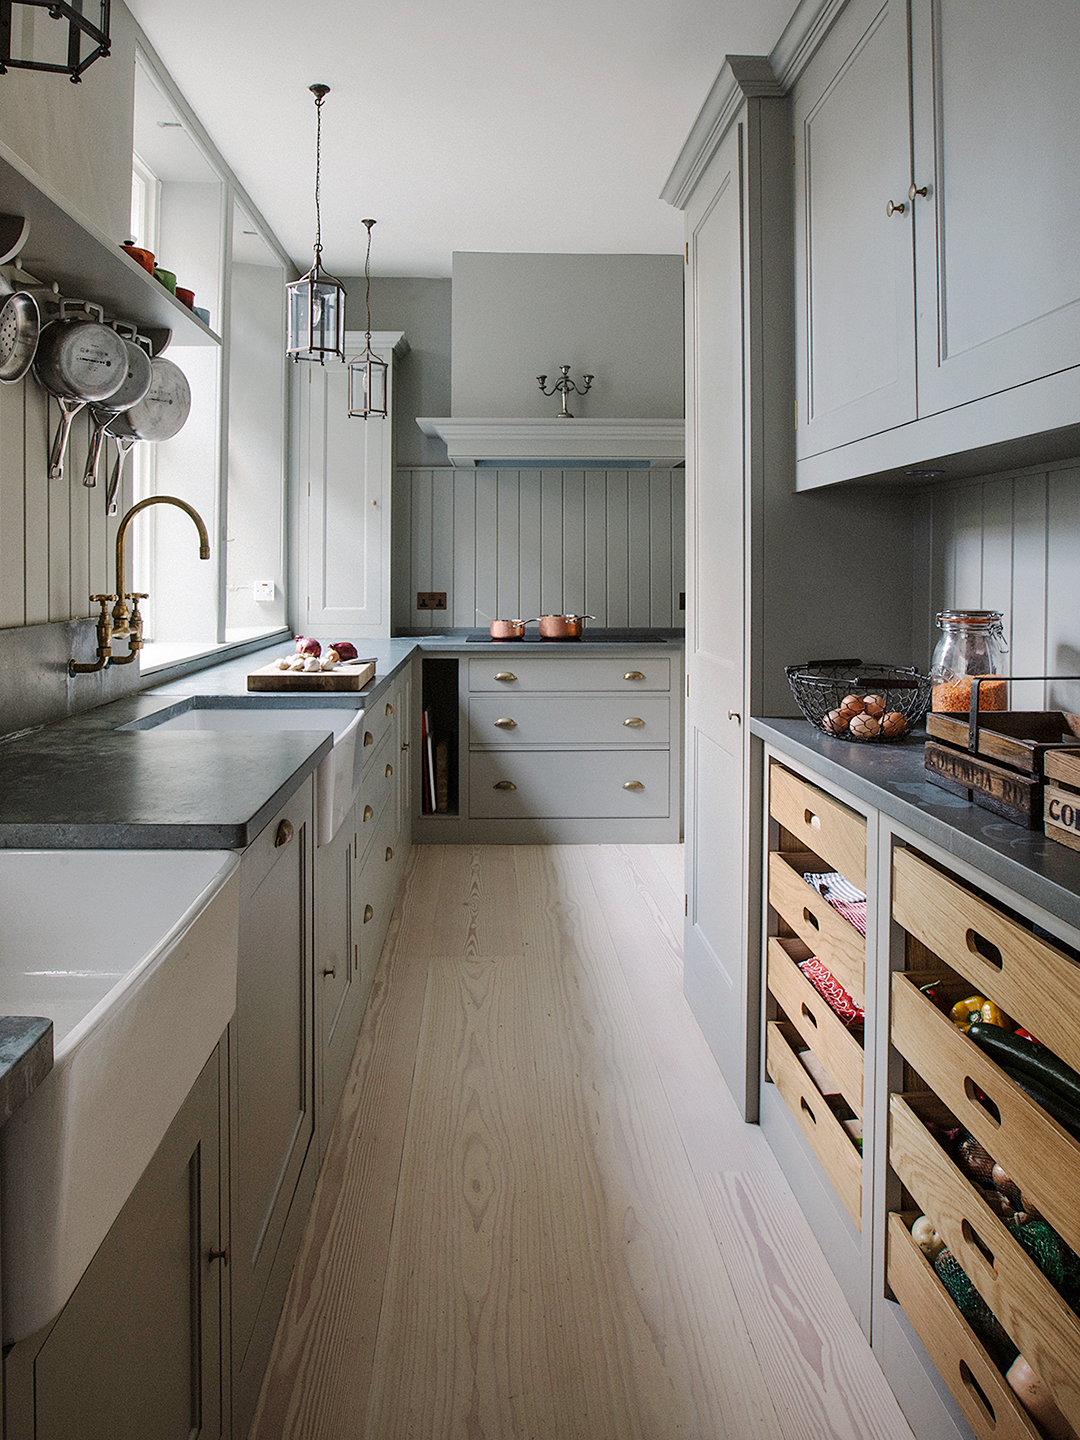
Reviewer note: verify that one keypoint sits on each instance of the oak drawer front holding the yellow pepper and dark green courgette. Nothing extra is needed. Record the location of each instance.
(1026, 1143)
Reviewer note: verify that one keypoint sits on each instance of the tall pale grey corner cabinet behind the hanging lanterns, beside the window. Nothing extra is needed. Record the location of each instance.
(345, 508)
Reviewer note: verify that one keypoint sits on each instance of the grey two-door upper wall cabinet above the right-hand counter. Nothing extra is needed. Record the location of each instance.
(938, 280)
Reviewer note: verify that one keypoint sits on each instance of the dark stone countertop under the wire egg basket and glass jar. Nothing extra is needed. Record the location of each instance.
(892, 778)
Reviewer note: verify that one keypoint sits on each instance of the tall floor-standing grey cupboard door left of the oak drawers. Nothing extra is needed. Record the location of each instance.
(716, 886)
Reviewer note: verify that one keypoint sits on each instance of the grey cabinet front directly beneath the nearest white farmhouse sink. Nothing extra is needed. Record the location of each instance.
(138, 1350)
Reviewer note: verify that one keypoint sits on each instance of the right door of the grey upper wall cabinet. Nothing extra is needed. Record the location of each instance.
(997, 112)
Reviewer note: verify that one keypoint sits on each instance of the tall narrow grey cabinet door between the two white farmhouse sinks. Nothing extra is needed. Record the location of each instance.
(271, 1088)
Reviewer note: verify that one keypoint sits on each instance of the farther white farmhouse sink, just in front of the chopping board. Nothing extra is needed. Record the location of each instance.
(338, 780)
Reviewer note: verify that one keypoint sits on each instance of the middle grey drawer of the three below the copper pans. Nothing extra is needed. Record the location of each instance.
(570, 721)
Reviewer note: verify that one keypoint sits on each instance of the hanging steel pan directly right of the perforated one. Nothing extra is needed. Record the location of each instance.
(78, 361)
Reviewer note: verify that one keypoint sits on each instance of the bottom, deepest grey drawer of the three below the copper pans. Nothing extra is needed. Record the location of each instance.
(568, 784)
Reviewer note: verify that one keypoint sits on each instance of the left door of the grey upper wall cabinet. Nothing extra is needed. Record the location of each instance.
(855, 290)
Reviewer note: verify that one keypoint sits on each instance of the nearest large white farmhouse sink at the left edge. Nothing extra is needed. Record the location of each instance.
(133, 957)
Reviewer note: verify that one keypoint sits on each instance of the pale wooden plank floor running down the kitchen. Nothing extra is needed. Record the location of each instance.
(541, 1216)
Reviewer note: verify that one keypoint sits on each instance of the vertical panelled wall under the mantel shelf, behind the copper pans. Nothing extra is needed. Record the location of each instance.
(519, 544)
